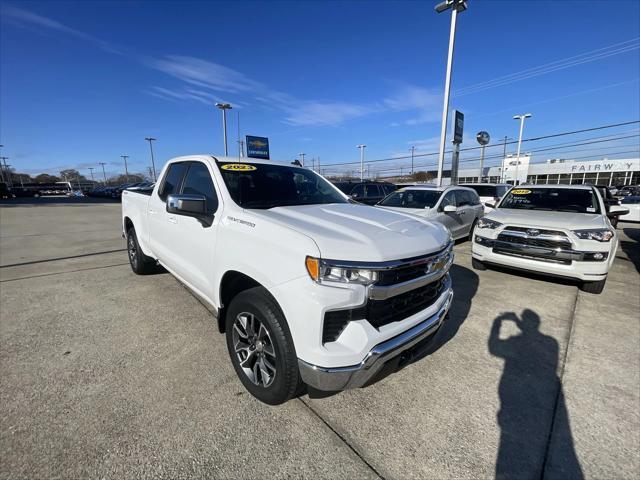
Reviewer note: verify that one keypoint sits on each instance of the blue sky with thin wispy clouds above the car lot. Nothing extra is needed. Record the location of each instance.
(85, 82)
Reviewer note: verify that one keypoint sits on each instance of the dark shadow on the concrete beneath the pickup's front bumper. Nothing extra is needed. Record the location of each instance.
(465, 284)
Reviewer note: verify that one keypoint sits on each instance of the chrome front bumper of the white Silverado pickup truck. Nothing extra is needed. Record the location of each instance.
(394, 349)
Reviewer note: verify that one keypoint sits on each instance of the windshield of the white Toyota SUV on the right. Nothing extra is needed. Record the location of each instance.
(552, 199)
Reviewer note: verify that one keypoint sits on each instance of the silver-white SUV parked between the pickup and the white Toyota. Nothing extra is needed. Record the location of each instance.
(458, 208)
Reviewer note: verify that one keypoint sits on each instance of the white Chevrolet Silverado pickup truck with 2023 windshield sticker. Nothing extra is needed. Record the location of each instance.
(309, 287)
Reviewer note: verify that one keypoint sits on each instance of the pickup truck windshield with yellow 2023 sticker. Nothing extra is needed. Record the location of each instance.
(260, 185)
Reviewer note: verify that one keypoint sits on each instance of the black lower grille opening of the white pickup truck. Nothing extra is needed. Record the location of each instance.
(382, 312)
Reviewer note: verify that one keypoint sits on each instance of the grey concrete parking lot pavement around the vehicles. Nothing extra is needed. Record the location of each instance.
(106, 375)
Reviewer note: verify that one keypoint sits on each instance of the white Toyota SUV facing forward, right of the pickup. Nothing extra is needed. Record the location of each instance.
(560, 230)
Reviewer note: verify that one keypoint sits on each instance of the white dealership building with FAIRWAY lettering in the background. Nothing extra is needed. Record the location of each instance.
(558, 171)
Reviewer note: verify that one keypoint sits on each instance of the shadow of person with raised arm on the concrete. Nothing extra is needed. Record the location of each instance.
(532, 412)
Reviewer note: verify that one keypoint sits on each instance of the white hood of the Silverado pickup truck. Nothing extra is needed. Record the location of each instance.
(359, 232)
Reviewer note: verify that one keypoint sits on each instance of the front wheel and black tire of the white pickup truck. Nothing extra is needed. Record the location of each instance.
(274, 349)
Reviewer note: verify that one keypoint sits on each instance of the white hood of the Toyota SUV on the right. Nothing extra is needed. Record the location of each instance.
(541, 218)
